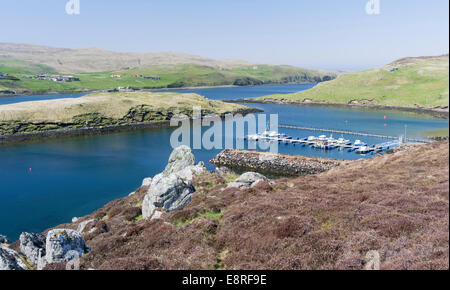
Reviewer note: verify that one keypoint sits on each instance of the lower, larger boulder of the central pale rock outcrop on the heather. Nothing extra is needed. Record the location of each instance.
(167, 192)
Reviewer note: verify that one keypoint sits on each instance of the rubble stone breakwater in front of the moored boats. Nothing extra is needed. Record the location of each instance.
(272, 164)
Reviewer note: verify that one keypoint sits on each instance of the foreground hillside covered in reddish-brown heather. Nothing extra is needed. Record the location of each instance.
(325, 221)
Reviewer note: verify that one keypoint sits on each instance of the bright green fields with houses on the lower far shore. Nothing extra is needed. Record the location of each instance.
(171, 76)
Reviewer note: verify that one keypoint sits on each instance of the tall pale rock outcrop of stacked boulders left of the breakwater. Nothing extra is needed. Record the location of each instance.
(172, 189)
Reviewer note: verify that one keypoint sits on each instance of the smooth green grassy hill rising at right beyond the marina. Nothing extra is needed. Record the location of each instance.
(417, 82)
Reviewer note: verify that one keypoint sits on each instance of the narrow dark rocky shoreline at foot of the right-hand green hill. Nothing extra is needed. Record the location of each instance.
(437, 113)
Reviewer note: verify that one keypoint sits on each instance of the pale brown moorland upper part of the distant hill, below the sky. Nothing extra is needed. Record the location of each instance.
(79, 60)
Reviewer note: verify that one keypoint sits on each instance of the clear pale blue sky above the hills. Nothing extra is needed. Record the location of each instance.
(328, 34)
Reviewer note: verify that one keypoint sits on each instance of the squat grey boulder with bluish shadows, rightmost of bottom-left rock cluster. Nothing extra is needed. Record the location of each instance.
(63, 244)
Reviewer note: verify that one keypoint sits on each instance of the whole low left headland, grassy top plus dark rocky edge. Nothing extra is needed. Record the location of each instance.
(103, 109)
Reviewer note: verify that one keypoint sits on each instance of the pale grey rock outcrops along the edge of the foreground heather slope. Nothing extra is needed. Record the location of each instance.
(61, 247)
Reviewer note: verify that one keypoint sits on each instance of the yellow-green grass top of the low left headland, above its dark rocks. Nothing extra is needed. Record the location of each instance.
(110, 105)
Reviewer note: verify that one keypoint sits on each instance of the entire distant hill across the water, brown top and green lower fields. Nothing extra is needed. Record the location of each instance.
(98, 69)
